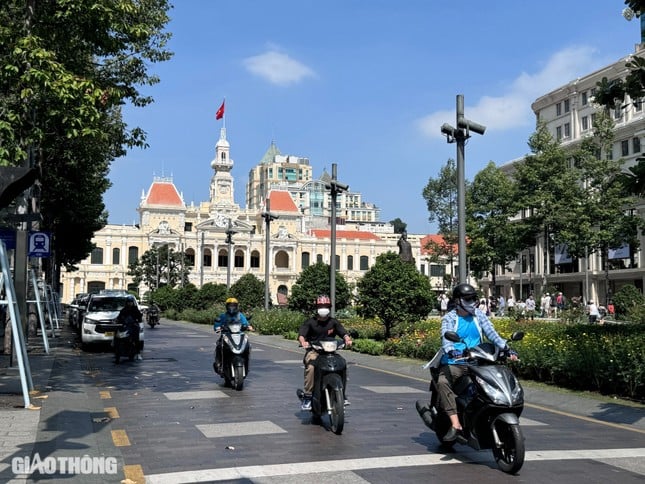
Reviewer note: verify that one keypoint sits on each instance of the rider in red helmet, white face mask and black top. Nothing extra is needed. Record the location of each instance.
(313, 329)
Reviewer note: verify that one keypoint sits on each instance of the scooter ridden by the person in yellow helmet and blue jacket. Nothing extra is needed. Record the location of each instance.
(235, 352)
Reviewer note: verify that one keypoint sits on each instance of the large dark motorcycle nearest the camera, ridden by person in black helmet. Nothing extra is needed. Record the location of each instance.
(490, 400)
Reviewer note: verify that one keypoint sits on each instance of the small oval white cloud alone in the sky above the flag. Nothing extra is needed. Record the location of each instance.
(278, 68)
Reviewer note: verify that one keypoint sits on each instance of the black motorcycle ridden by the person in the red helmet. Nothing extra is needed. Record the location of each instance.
(330, 380)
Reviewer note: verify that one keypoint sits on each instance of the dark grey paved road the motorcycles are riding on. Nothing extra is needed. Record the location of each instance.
(172, 420)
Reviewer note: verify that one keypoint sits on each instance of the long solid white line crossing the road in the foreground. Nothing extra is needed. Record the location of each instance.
(385, 462)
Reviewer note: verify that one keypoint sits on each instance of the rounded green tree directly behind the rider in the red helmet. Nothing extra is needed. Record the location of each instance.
(314, 281)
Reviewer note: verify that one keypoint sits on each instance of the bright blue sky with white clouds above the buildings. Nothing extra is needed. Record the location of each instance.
(365, 84)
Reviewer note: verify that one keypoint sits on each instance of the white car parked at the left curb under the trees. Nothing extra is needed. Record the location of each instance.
(100, 319)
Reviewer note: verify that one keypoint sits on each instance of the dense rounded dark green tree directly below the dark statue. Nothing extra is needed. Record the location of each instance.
(395, 292)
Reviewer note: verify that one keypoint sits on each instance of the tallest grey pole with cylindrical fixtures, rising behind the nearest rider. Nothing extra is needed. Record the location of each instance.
(459, 135)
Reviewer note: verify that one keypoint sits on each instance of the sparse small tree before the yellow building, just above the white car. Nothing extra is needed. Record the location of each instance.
(160, 266)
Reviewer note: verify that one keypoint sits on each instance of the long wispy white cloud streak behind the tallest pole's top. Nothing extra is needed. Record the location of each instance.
(513, 109)
